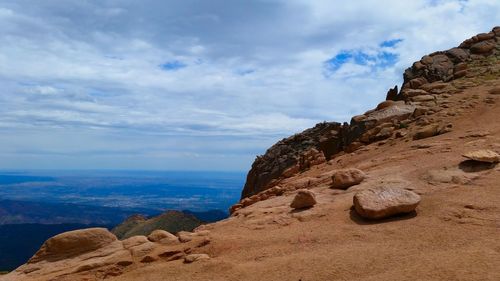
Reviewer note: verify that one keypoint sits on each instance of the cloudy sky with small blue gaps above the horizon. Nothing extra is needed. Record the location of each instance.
(202, 85)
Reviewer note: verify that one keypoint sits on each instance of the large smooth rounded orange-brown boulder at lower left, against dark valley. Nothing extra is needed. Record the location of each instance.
(73, 243)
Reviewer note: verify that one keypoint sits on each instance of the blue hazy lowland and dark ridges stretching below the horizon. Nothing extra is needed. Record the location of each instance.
(46, 203)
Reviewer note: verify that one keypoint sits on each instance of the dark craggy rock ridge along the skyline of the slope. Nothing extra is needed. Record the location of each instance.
(405, 114)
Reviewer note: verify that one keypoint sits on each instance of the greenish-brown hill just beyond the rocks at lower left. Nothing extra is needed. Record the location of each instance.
(171, 221)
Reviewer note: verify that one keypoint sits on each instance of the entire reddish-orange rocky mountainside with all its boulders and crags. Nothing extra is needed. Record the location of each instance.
(406, 191)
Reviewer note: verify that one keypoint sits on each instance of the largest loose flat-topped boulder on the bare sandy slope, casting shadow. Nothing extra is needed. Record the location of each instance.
(383, 202)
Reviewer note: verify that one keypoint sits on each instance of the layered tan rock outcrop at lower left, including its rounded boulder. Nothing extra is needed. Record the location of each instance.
(99, 252)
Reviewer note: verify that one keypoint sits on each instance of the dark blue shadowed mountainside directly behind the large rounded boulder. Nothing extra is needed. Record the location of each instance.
(18, 242)
